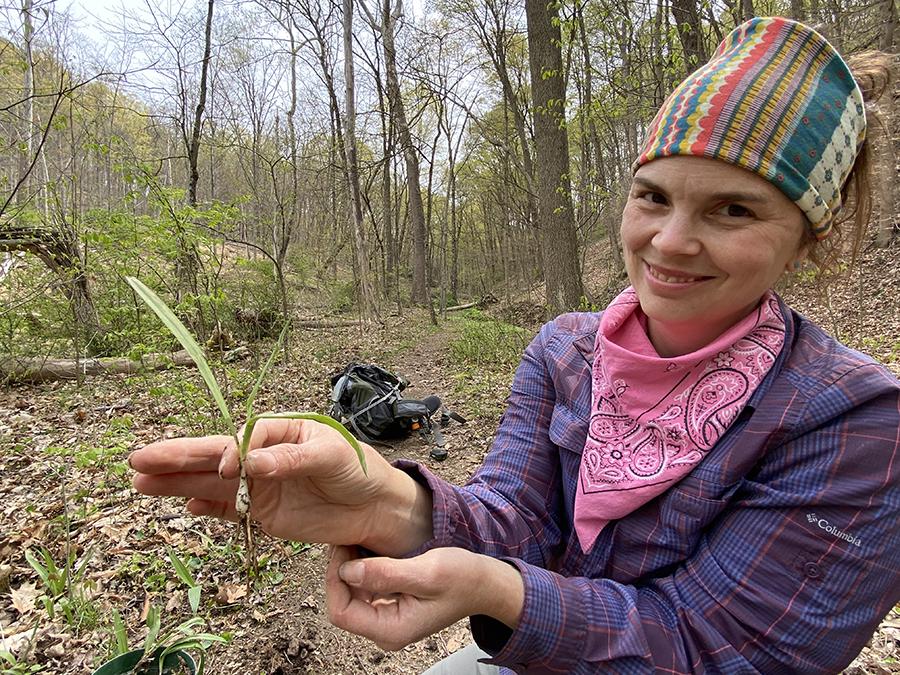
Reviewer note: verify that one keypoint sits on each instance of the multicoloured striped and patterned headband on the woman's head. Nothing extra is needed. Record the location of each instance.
(775, 99)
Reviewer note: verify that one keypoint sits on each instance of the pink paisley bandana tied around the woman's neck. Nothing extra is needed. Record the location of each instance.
(653, 419)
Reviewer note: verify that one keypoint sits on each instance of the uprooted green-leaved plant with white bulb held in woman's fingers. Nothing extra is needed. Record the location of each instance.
(242, 499)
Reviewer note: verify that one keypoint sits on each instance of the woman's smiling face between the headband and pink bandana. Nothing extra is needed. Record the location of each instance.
(703, 241)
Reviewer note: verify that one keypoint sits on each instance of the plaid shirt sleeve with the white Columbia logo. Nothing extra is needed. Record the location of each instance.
(792, 578)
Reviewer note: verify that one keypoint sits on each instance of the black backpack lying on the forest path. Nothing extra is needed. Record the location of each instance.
(368, 399)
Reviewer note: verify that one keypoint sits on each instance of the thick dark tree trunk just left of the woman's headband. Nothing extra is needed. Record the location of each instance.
(562, 277)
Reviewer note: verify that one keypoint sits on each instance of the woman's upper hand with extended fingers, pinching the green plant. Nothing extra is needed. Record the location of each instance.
(306, 484)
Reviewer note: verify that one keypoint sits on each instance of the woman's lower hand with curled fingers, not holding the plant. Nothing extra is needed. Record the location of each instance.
(396, 602)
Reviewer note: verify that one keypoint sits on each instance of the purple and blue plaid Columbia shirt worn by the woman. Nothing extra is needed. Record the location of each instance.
(779, 553)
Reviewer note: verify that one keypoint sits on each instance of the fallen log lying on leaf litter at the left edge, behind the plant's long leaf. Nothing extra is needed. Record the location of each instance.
(39, 369)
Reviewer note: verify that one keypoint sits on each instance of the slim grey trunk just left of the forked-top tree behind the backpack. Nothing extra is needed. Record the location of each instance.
(368, 308)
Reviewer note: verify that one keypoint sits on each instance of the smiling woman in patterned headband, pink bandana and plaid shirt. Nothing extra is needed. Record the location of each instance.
(696, 479)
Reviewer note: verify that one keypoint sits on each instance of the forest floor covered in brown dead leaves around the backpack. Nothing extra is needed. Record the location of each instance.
(66, 486)
